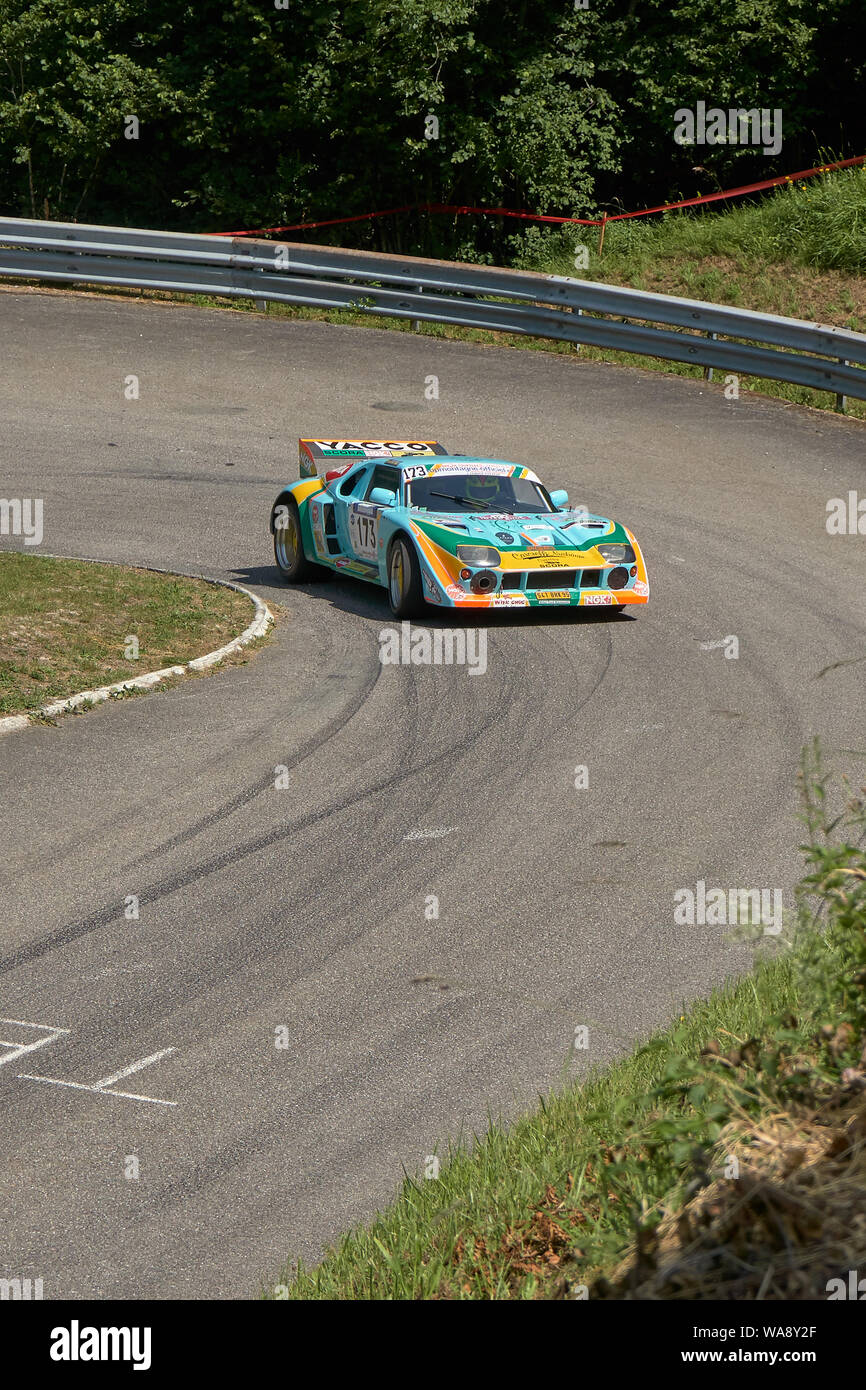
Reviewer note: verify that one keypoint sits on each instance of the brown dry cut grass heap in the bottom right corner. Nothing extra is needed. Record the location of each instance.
(783, 1229)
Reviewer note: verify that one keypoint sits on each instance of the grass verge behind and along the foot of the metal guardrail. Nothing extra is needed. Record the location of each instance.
(800, 254)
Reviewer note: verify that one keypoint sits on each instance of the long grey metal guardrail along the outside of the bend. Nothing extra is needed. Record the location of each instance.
(735, 341)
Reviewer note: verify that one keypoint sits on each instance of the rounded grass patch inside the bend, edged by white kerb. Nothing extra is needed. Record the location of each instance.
(67, 625)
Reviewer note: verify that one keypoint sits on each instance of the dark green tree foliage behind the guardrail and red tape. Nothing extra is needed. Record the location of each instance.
(254, 113)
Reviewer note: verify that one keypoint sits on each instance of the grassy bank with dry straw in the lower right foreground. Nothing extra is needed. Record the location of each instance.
(618, 1185)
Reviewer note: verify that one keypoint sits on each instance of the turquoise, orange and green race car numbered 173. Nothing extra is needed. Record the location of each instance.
(448, 530)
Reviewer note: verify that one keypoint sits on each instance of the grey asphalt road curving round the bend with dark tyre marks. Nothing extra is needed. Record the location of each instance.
(307, 910)
